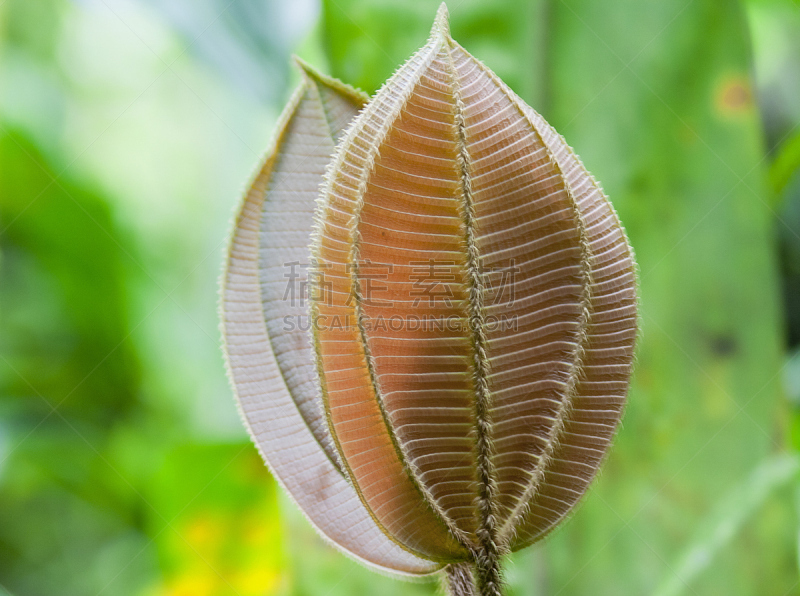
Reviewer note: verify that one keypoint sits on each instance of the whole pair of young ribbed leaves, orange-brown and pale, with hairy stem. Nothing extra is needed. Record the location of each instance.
(473, 316)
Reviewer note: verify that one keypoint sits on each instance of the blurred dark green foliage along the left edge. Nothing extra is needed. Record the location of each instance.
(64, 317)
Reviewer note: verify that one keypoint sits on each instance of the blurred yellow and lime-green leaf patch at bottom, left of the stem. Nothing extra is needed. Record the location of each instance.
(218, 535)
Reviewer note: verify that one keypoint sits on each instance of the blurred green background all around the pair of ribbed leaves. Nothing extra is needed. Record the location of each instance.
(127, 131)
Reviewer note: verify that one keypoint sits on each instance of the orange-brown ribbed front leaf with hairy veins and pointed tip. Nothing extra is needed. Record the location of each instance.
(450, 201)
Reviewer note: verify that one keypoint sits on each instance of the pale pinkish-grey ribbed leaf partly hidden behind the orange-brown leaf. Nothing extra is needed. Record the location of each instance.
(269, 356)
